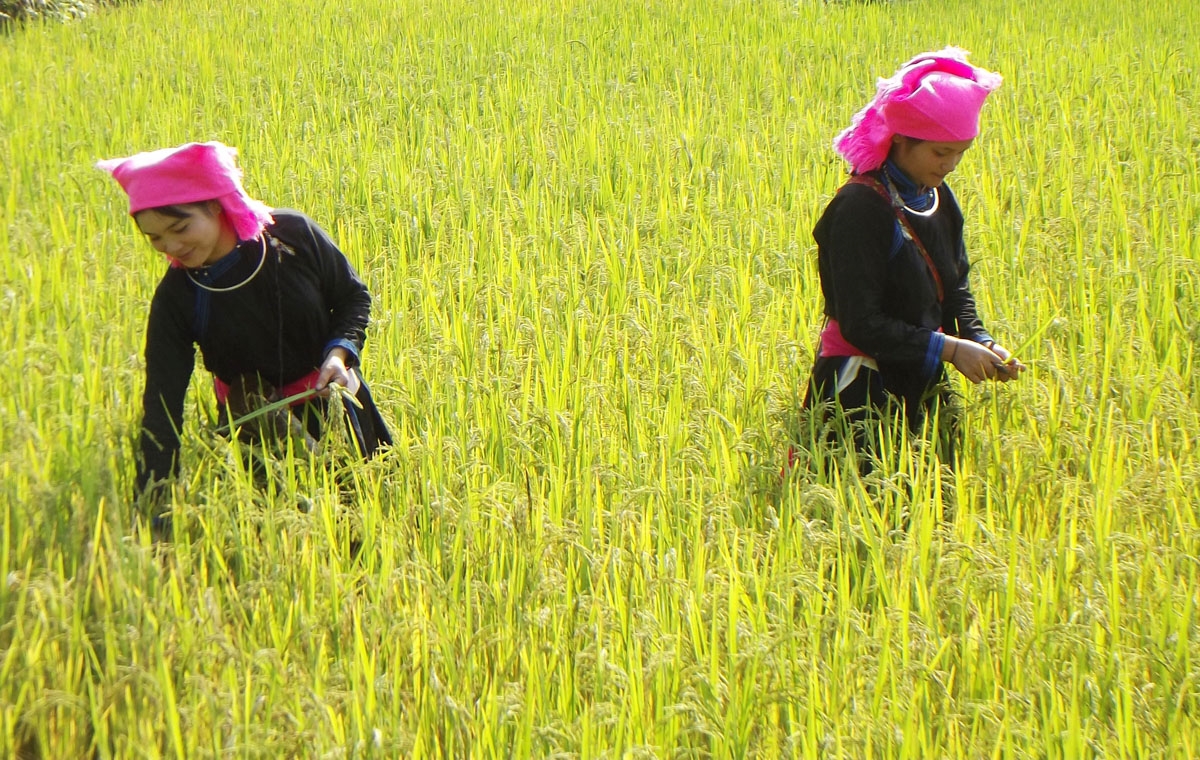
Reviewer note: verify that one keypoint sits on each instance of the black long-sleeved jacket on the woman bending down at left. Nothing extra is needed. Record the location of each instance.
(281, 325)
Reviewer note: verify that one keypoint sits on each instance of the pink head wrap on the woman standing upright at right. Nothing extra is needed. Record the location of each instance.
(935, 97)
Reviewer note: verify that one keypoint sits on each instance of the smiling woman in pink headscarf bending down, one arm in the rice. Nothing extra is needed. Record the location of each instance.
(274, 306)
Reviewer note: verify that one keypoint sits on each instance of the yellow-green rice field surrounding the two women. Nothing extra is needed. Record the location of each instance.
(587, 230)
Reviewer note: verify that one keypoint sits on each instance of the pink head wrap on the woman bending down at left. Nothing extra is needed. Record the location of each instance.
(191, 173)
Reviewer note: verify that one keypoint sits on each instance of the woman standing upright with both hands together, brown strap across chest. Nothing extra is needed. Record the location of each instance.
(892, 261)
